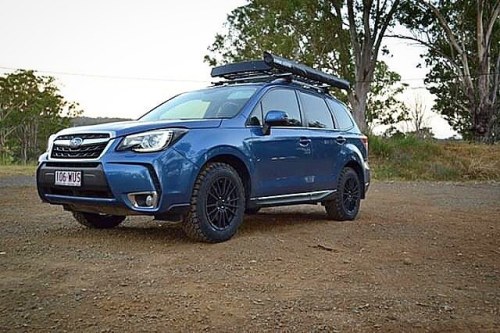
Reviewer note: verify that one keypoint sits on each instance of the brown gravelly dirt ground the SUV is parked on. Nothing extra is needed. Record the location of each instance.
(422, 257)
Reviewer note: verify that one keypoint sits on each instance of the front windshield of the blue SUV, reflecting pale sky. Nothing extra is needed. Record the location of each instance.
(211, 103)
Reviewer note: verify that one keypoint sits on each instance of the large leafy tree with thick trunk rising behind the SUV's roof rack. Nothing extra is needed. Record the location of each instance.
(320, 33)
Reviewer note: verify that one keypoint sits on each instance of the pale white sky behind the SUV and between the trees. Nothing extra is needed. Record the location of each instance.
(120, 58)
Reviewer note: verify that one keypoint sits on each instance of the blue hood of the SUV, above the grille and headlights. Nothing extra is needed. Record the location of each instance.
(131, 127)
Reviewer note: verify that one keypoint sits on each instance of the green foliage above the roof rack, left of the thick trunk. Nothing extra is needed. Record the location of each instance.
(297, 29)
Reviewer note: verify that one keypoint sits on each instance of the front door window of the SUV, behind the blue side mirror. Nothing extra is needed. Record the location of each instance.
(283, 100)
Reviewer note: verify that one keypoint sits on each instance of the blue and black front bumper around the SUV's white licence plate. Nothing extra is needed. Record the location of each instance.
(116, 184)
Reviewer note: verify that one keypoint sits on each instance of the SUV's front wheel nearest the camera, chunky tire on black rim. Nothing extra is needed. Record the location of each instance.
(217, 204)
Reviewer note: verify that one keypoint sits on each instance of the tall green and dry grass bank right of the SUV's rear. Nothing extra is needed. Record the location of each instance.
(409, 158)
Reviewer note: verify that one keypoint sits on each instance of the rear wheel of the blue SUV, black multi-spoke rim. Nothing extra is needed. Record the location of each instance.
(345, 204)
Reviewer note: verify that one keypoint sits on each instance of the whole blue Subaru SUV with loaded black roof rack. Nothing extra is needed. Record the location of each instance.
(266, 134)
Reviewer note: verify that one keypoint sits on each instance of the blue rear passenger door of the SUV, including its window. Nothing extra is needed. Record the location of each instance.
(325, 140)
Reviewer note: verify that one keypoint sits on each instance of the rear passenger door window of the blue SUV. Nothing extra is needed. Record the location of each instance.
(315, 111)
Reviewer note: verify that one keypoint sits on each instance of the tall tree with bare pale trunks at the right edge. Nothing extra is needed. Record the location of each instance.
(463, 41)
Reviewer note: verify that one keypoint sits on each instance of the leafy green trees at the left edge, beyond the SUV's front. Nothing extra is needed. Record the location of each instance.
(30, 110)
